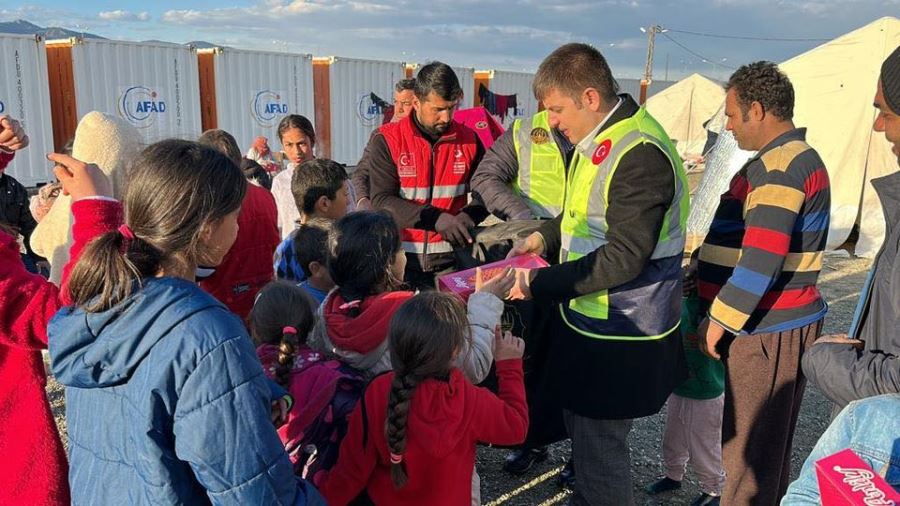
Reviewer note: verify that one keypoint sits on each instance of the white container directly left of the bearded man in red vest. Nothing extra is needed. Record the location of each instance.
(354, 115)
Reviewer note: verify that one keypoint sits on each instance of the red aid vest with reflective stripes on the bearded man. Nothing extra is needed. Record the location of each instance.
(437, 175)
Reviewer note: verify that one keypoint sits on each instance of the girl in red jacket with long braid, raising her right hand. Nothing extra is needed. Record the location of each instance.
(412, 439)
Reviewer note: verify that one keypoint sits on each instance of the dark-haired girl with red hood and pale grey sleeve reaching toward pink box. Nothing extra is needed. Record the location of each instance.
(366, 261)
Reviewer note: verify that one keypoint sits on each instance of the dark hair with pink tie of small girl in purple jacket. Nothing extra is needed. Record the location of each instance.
(281, 316)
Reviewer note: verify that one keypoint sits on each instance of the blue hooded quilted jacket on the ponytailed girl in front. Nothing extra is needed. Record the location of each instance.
(166, 403)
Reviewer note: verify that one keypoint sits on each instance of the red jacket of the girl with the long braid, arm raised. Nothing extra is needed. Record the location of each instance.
(446, 420)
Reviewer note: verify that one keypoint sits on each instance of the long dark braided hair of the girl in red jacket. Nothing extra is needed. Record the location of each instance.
(425, 335)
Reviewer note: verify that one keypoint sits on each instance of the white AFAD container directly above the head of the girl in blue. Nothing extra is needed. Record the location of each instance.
(154, 86)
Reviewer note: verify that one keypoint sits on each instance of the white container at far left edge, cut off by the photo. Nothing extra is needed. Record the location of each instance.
(24, 95)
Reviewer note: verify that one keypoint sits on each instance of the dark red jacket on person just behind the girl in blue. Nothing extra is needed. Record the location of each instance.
(248, 265)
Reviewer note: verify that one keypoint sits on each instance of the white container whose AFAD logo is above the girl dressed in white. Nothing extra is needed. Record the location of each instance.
(256, 89)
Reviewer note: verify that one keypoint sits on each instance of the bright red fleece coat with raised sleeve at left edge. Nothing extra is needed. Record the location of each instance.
(33, 469)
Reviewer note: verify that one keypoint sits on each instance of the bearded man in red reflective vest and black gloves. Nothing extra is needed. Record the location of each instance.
(419, 170)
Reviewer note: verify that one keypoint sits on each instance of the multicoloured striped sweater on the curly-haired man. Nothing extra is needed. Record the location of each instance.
(761, 258)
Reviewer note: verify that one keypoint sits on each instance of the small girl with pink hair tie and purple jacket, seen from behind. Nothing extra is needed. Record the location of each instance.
(324, 392)
